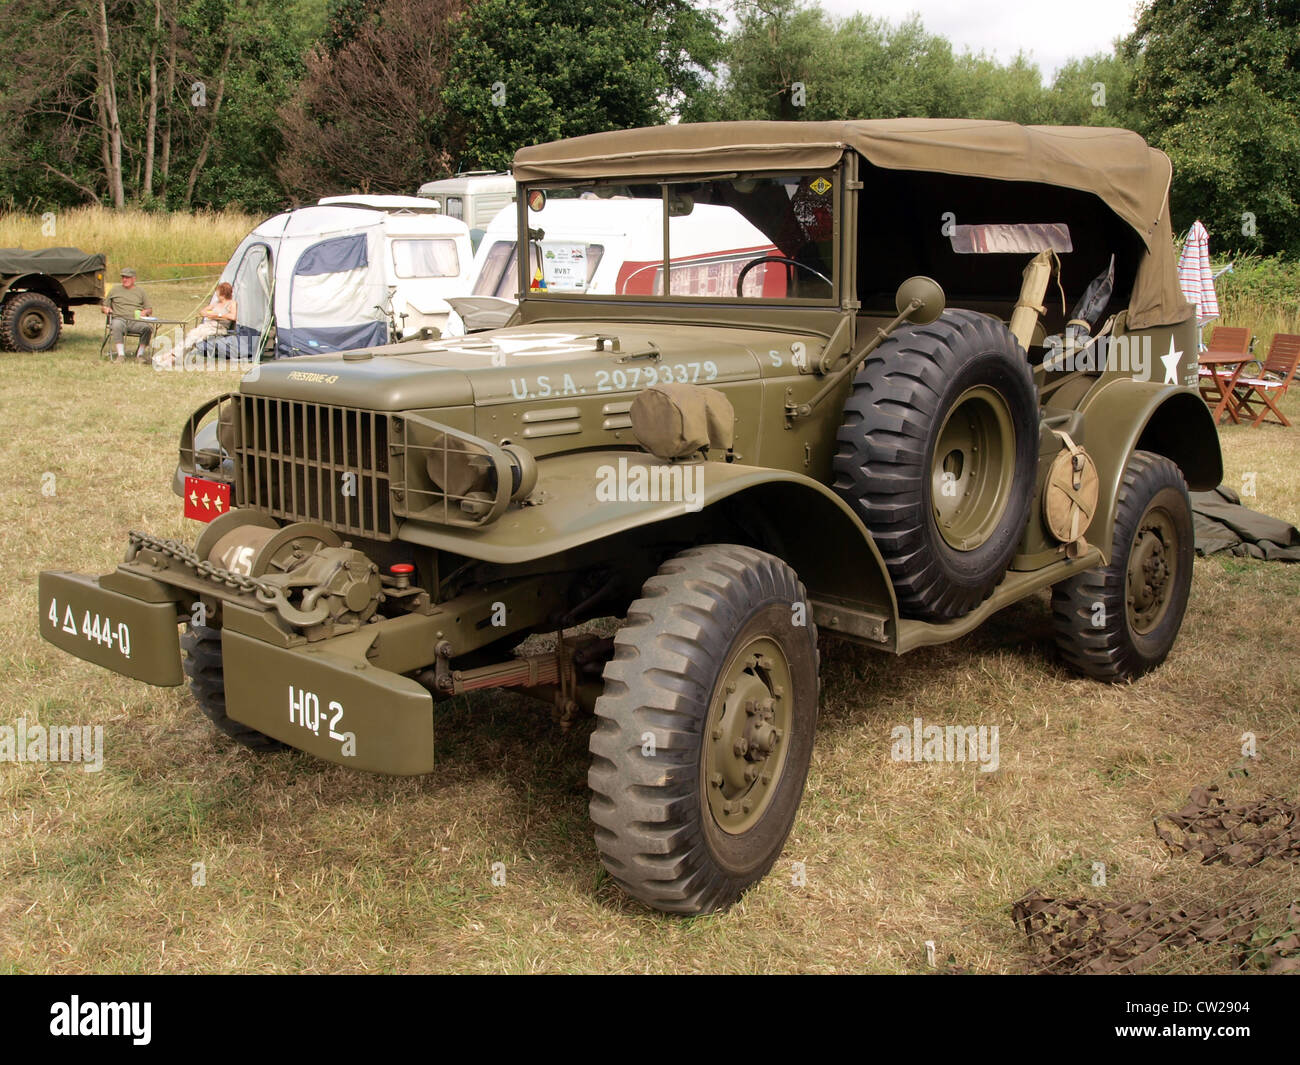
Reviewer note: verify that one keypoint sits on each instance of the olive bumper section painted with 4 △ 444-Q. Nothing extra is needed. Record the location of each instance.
(119, 633)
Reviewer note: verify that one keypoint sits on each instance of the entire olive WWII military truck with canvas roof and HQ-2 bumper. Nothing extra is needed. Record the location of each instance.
(956, 371)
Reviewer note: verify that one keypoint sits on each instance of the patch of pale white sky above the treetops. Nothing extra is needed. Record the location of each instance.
(1051, 31)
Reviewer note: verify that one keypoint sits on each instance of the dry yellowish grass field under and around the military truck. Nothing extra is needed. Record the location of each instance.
(313, 868)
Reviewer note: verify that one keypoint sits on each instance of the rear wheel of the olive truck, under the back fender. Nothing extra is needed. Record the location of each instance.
(1121, 621)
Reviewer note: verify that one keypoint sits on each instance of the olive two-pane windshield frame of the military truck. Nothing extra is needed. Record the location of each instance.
(838, 175)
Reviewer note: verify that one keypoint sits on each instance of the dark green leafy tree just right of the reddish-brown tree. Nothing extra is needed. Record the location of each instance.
(526, 72)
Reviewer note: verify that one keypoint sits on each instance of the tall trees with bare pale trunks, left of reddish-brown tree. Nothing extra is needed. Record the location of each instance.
(137, 102)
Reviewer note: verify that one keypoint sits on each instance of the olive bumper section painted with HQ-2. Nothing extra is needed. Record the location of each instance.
(333, 707)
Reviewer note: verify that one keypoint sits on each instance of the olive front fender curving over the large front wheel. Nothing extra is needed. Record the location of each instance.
(799, 519)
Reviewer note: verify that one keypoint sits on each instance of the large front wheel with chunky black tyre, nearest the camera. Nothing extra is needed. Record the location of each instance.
(705, 729)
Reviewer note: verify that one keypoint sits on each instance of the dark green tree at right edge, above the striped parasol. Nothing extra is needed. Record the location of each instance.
(1217, 86)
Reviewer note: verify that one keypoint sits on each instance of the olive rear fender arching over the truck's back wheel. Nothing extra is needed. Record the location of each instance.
(1129, 415)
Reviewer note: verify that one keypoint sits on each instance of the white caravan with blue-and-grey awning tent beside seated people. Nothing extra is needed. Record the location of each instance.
(356, 272)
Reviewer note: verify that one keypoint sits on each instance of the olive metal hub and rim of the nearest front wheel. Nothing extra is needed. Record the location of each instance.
(748, 722)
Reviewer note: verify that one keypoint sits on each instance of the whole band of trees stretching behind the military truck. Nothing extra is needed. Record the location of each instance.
(332, 96)
